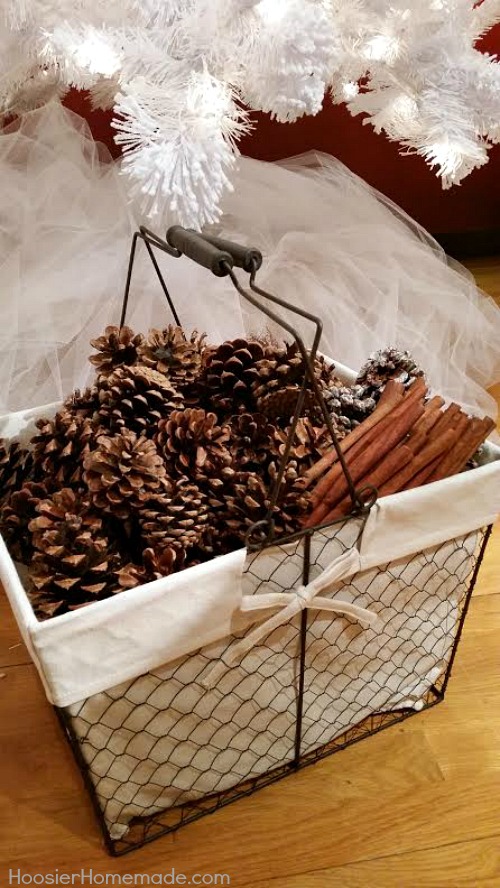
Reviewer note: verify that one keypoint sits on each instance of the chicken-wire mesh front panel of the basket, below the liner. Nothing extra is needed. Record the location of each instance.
(161, 751)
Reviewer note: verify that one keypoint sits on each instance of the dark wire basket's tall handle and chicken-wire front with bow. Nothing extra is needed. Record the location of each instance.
(336, 665)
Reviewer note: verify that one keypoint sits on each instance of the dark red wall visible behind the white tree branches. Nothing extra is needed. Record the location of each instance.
(475, 204)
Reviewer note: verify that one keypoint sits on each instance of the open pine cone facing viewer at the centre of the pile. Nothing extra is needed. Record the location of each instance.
(193, 444)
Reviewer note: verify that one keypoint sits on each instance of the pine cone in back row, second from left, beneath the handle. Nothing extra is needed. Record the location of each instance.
(170, 352)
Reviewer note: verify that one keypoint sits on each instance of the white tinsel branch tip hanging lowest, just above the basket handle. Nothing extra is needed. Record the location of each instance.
(179, 159)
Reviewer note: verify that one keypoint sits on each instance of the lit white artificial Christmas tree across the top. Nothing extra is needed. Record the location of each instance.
(180, 75)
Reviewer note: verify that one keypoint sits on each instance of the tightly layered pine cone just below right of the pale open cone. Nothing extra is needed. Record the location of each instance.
(176, 519)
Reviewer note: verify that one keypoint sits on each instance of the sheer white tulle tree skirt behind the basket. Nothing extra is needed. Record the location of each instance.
(331, 244)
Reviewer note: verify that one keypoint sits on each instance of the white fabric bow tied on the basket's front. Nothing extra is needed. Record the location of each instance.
(292, 603)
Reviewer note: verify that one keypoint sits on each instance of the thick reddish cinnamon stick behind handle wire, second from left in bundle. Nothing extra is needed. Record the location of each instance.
(392, 431)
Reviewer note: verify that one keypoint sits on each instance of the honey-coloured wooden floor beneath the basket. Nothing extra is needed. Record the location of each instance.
(417, 805)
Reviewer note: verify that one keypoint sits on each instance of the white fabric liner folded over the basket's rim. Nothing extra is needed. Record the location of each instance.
(81, 653)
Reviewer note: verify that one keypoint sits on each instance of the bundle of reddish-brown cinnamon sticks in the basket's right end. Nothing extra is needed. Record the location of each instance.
(407, 441)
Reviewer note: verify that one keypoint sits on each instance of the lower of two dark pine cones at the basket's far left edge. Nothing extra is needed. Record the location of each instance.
(15, 516)
